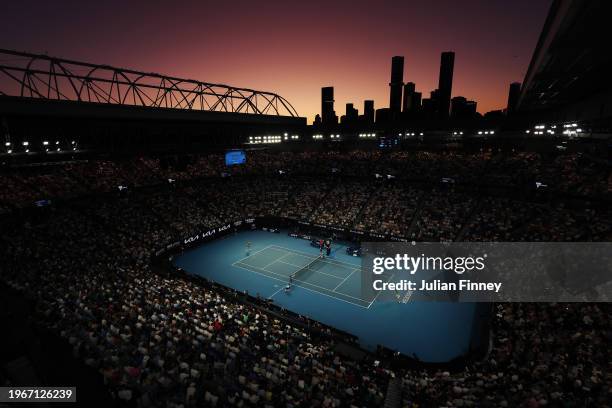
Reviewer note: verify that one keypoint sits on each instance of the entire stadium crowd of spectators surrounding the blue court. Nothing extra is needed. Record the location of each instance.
(167, 341)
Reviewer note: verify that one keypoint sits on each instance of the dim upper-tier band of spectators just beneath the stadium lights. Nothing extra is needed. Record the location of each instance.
(572, 173)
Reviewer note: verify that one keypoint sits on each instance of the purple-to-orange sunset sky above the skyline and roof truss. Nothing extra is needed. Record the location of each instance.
(293, 48)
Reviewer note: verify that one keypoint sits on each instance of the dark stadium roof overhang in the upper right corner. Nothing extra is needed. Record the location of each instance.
(571, 62)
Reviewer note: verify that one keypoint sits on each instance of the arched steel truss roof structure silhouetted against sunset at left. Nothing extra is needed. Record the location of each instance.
(43, 77)
